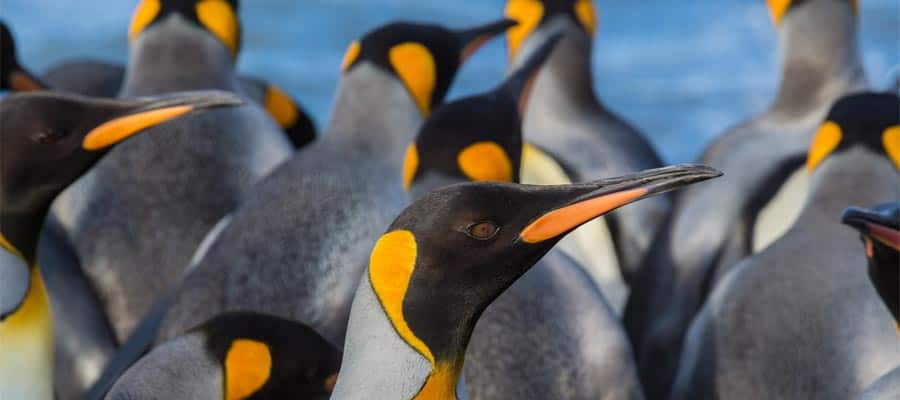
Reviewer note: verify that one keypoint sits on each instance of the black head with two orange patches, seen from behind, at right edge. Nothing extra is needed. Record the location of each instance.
(868, 120)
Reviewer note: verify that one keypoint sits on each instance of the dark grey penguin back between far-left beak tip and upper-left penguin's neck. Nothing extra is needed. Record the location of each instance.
(86, 77)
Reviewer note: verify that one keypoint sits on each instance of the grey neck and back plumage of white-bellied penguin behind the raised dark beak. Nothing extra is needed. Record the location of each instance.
(565, 117)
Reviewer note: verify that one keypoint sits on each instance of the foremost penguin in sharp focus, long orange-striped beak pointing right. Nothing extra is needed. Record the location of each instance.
(446, 257)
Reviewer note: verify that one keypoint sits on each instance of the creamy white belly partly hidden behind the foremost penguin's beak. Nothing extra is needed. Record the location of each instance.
(590, 245)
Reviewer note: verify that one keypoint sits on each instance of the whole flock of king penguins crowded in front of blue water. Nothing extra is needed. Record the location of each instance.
(171, 228)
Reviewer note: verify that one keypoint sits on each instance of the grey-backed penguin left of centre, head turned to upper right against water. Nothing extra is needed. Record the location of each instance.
(335, 195)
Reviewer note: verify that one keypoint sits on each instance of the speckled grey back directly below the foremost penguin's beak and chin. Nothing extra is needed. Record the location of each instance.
(576, 347)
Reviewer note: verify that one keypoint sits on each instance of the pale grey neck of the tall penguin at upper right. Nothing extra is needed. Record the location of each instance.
(818, 64)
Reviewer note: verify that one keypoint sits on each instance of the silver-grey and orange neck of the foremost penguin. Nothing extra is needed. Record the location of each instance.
(379, 363)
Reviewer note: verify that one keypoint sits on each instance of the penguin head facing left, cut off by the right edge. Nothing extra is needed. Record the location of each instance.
(879, 228)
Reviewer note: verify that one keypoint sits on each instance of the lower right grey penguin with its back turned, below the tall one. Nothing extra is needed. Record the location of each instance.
(799, 319)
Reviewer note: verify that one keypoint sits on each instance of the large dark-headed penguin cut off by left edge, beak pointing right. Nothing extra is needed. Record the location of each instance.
(49, 141)
